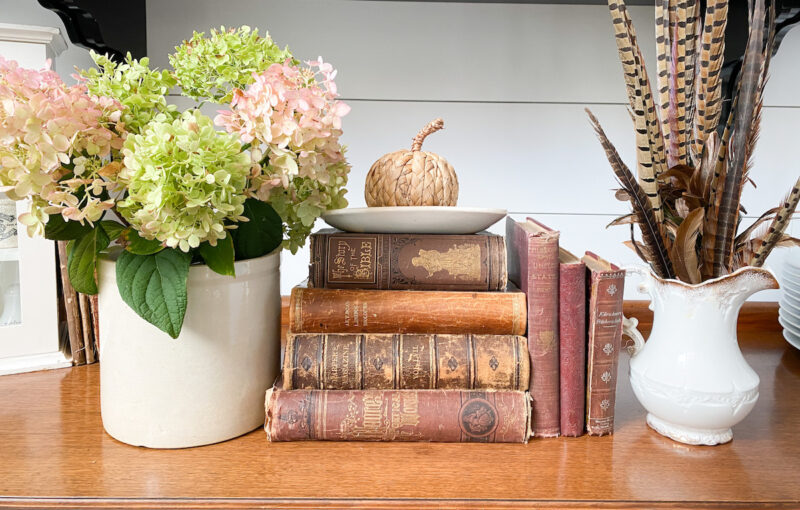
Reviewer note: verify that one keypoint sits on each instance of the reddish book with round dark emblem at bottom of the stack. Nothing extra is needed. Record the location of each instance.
(398, 415)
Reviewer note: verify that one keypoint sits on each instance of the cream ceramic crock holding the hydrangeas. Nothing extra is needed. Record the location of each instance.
(207, 385)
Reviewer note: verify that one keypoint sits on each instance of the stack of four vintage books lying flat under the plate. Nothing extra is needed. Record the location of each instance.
(404, 337)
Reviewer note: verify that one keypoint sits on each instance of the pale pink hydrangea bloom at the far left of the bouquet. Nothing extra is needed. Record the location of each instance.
(45, 125)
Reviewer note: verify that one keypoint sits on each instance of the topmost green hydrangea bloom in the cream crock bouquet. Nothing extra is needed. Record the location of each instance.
(209, 68)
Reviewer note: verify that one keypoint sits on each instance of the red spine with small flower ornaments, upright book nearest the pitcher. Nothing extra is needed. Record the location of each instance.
(605, 337)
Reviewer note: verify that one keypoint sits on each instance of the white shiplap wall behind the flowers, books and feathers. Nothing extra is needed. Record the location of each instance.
(511, 82)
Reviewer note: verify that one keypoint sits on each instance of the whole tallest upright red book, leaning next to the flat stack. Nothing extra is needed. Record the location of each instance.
(533, 266)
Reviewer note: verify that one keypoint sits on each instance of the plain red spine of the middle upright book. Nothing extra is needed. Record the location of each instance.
(572, 347)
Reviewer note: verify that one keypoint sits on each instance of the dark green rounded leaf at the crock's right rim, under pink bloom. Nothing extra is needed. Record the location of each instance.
(259, 236)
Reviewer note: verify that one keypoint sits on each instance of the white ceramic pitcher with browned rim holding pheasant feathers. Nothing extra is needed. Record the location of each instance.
(690, 375)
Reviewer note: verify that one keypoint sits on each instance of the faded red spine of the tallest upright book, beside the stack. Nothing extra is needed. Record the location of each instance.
(542, 291)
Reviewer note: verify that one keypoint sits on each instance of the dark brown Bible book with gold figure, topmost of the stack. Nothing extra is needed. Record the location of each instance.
(341, 260)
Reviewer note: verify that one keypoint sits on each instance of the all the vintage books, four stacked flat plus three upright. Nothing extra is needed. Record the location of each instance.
(421, 337)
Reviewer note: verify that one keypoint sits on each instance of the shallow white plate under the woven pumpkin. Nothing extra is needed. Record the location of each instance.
(414, 220)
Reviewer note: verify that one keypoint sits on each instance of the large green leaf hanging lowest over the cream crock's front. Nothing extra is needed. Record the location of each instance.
(154, 286)
